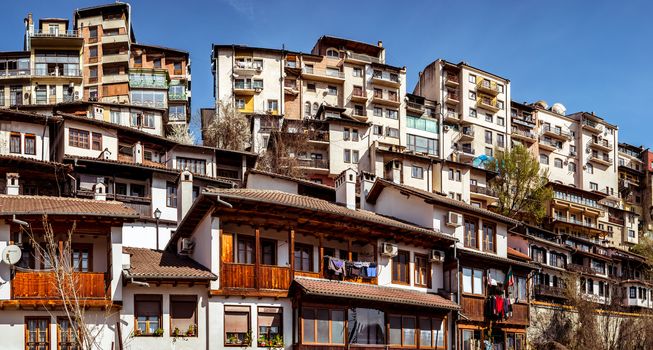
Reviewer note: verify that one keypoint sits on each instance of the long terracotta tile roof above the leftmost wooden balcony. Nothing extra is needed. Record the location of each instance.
(37, 205)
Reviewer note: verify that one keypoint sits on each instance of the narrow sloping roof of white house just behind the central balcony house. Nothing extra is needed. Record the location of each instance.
(379, 184)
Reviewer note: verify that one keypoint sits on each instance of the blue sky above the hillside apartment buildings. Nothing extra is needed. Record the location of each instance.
(588, 55)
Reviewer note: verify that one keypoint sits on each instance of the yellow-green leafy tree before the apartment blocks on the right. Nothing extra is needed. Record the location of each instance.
(520, 184)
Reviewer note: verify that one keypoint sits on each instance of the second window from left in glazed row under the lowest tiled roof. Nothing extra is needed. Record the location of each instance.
(366, 326)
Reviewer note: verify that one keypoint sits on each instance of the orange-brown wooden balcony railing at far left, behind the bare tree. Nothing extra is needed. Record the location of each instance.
(42, 285)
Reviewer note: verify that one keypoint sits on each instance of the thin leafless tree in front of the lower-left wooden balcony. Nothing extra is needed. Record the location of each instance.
(50, 248)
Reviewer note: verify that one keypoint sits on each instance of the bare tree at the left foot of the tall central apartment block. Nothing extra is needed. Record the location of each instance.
(228, 130)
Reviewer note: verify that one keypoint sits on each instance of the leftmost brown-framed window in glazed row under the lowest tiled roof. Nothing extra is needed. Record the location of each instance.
(324, 326)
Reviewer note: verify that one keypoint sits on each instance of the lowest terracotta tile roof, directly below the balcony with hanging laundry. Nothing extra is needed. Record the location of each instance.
(351, 290)
